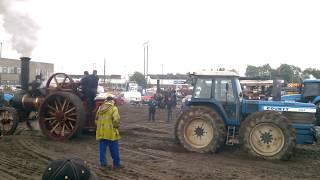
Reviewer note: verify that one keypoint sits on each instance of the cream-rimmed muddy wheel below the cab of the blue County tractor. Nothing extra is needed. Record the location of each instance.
(201, 129)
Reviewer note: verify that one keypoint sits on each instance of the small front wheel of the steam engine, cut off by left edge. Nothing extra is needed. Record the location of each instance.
(8, 121)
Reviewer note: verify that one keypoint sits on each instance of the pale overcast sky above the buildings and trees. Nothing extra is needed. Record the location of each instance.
(184, 35)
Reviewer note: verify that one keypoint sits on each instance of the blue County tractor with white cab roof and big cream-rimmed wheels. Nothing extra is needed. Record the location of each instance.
(217, 115)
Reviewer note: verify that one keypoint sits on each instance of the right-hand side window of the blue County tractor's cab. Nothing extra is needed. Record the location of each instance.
(224, 90)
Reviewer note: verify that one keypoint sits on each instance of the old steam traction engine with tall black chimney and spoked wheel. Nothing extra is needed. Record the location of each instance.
(61, 106)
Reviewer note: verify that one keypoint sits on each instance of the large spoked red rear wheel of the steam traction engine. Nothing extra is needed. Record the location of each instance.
(62, 116)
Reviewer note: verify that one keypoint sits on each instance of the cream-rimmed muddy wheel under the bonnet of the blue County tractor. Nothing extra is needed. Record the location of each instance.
(268, 135)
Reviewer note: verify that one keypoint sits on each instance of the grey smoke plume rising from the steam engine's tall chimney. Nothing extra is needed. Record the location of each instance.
(20, 26)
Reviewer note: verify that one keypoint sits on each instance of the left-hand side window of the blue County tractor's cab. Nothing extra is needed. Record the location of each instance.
(202, 89)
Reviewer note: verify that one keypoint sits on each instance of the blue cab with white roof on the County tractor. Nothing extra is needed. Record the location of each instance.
(218, 88)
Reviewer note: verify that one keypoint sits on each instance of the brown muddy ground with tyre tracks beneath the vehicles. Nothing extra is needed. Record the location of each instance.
(148, 151)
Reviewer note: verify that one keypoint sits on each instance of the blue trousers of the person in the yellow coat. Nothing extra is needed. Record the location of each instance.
(114, 150)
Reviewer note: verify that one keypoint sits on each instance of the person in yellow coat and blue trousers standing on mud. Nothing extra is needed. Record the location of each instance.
(107, 132)
